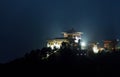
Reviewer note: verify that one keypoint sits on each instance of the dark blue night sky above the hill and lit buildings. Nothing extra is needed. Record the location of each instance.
(27, 24)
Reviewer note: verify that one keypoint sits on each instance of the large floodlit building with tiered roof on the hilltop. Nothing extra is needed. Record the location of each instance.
(71, 37)
